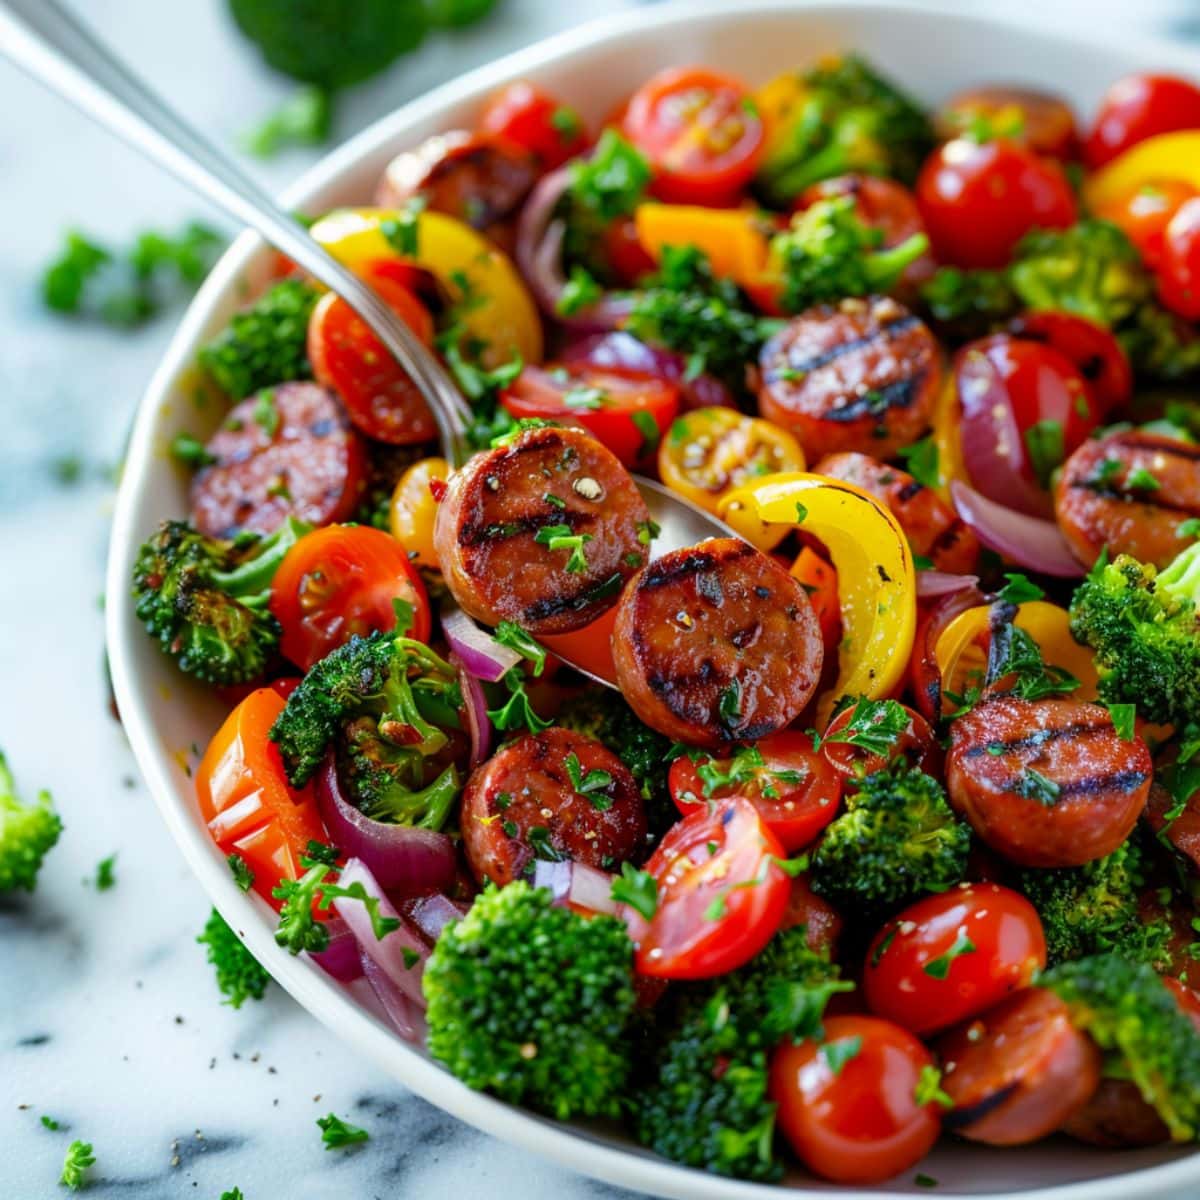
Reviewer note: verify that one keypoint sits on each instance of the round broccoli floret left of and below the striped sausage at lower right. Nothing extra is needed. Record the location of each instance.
(898, 839)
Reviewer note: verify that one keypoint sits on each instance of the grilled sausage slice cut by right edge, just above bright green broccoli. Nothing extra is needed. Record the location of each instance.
(1107, 496)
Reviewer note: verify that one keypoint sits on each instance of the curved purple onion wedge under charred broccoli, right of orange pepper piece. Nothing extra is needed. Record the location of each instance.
(401, 857)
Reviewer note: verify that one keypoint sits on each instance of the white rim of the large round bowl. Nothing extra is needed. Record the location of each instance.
(569, 1145)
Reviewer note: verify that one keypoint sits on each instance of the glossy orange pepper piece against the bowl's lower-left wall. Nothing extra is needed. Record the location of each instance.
(245, 799)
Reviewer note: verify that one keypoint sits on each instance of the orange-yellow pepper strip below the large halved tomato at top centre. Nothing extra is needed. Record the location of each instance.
(736, 241)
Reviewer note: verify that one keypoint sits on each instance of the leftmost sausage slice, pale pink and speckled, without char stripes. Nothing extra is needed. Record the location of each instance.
(287, 452)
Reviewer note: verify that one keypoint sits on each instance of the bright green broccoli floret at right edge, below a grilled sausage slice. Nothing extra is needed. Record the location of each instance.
(1145, 631)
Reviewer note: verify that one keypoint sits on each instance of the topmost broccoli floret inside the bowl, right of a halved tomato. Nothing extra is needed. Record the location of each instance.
(850, 119)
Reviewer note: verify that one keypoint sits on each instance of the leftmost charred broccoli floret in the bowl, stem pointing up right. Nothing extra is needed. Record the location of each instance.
(206, 599)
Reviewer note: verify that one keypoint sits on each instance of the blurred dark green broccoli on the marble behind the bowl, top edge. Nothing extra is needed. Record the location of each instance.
(331, 45)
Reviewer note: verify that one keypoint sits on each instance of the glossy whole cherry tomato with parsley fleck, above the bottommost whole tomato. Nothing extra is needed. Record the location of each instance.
(950, 957)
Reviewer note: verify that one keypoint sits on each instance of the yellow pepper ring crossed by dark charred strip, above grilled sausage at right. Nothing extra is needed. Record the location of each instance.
(962, 651)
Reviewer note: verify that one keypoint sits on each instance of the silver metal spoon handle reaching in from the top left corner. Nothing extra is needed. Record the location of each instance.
(49, 43)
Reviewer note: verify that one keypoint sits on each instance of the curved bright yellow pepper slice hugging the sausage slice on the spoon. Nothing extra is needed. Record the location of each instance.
(877, 583)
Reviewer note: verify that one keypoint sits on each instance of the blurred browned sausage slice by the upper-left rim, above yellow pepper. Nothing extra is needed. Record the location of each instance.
(475, 177)
